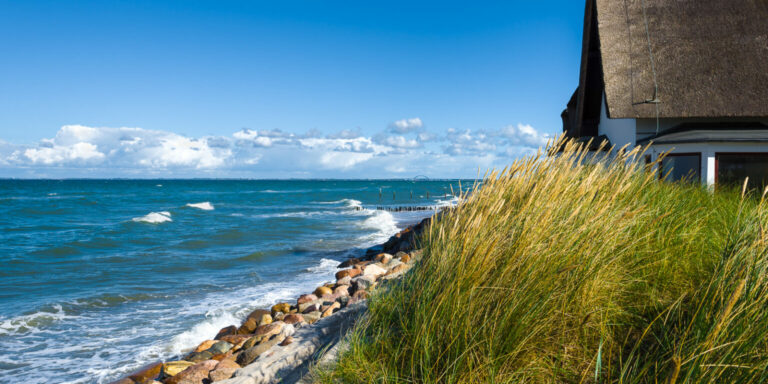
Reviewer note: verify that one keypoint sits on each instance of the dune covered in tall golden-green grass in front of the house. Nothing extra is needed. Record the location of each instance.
(555, 273)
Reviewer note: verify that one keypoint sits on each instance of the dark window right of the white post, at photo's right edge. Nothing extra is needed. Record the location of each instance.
(733, 168)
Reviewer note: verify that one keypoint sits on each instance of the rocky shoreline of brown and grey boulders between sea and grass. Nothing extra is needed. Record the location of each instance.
(279, 344)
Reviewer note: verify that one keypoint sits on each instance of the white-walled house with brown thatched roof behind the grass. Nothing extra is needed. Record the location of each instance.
(685, 76)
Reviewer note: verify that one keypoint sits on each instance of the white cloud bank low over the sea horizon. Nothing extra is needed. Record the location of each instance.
(405, 149)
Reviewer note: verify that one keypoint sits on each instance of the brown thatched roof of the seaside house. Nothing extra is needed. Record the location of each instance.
(711, 57)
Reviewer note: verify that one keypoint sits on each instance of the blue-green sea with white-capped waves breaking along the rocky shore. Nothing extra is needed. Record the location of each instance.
(101, 277)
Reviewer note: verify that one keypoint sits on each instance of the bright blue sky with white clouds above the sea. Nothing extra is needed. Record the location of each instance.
(281, 89)
